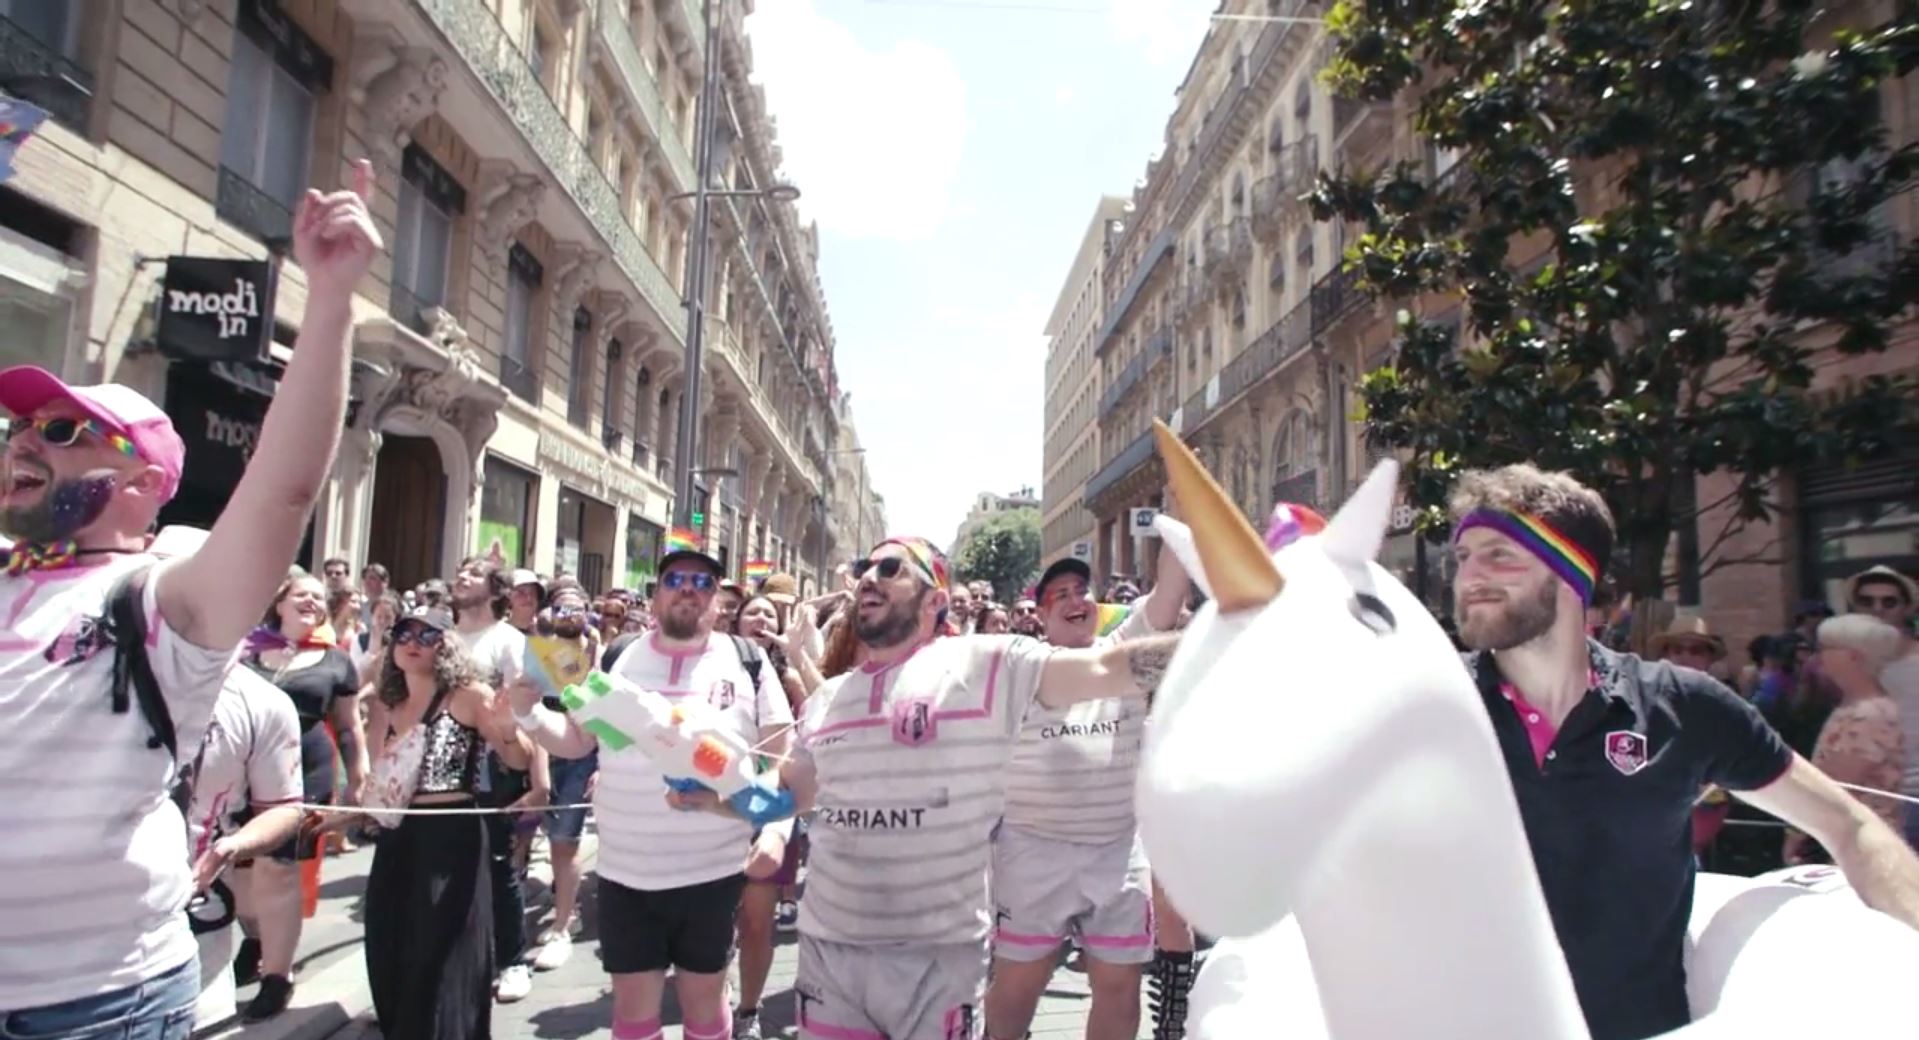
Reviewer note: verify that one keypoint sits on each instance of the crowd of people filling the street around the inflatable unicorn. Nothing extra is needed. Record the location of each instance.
(189, 724)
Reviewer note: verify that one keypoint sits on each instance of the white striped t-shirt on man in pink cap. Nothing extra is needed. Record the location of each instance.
(95, 872)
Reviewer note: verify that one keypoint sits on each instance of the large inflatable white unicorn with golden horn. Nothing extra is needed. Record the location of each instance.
(1323, 790)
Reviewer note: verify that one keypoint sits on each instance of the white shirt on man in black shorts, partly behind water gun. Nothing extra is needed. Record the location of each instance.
(644, 843)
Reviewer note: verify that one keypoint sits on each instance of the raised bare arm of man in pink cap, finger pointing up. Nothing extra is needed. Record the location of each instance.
(214, 598)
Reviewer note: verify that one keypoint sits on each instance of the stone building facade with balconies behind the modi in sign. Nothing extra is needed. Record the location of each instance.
(519, 352)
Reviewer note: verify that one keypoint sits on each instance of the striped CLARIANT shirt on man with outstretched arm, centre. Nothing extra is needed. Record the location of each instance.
(912, 782)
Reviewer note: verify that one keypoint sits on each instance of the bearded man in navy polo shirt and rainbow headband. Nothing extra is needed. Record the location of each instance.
(1609, 751)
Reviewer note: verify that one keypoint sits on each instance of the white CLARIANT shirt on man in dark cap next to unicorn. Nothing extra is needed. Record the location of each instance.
(1076, 767)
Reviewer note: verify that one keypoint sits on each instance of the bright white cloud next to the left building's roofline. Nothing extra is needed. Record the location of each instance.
(870, 137)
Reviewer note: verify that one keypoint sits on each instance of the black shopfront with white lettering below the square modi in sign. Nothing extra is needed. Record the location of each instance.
(218, 412)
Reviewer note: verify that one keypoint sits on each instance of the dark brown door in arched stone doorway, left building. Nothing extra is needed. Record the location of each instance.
(410, 508)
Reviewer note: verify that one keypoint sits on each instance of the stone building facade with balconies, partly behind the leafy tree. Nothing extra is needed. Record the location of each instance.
(1229, 316)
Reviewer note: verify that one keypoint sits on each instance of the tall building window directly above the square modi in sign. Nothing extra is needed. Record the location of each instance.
(272, 95)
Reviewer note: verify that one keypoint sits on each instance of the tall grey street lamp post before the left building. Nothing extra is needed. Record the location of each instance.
(698, 266)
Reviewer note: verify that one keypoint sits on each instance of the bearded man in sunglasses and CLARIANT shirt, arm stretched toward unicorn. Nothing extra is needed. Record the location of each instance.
(907, 763)
